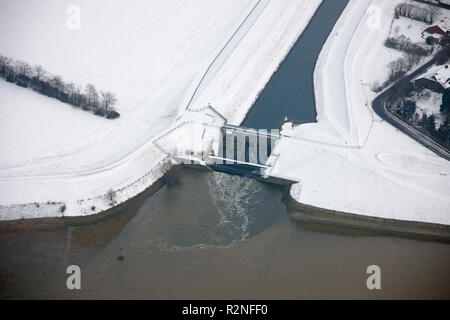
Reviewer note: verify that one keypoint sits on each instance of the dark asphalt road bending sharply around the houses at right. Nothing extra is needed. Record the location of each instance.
(379, 106)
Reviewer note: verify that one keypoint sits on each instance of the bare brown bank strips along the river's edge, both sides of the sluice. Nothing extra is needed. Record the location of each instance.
(309, 217)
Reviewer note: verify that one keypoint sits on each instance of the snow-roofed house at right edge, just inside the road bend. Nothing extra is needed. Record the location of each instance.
(437, 79)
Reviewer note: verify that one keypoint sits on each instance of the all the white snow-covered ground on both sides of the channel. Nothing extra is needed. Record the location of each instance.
(153, 54)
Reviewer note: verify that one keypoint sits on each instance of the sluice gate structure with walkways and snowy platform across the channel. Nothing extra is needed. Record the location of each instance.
(204, 140)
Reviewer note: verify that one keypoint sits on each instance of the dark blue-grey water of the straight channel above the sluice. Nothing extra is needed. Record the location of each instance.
(290, 92)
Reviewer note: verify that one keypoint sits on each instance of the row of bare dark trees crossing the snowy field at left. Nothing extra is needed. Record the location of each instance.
(101, 103)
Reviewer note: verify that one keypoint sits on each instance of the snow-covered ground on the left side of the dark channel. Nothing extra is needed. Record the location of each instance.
(152, 55)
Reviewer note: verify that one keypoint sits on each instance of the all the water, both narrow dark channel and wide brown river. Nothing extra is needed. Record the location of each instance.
(217, 236)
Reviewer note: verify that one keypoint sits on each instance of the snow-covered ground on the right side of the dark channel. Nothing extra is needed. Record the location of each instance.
(358, 163)
